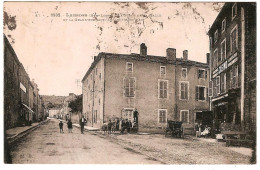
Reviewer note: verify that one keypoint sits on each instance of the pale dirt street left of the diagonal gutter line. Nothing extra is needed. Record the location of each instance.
(47, 145)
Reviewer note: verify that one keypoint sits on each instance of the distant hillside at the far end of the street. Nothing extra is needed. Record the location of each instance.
(52, 101)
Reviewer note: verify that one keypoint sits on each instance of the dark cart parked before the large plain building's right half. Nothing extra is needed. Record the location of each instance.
(174, 128)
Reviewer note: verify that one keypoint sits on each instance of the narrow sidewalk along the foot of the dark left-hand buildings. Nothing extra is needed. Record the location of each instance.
(17, 132)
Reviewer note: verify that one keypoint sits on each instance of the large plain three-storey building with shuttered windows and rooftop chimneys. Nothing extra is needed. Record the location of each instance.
(159, 87)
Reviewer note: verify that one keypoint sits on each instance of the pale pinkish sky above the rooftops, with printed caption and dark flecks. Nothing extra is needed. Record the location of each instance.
(56, 41)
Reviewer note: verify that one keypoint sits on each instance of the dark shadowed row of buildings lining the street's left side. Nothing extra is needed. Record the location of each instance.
(19, 96)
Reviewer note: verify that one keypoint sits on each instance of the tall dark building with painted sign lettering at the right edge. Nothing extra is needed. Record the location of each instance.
(233, 66)
